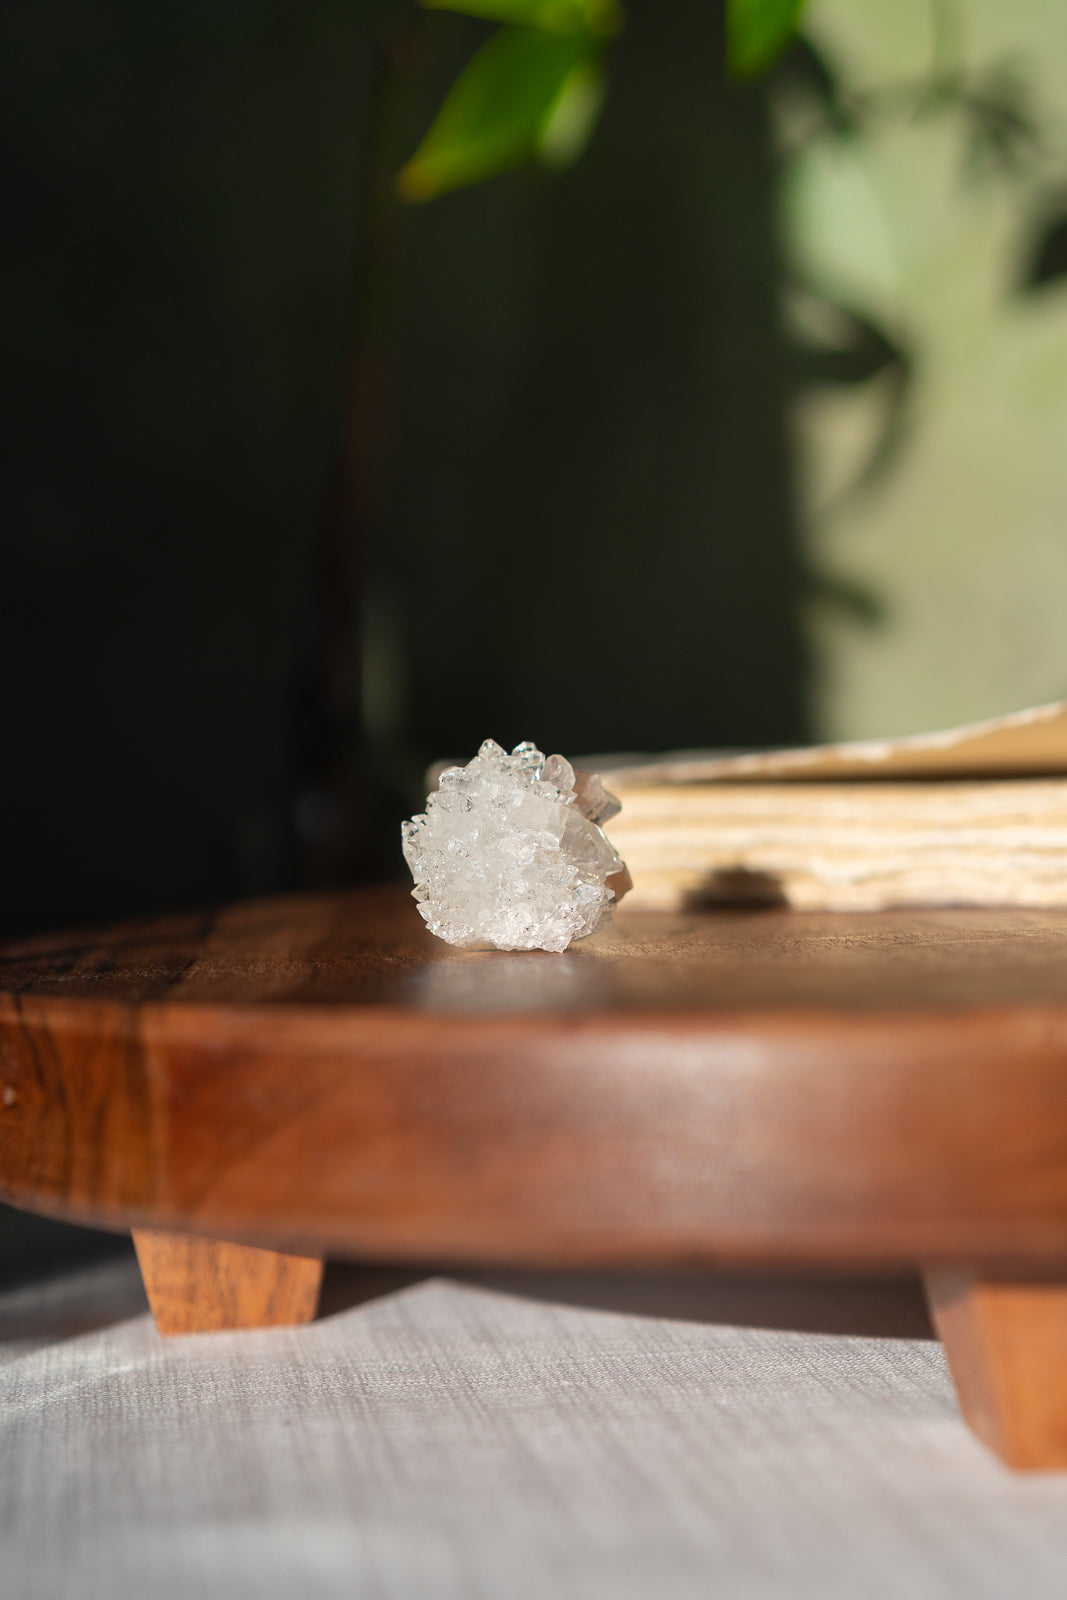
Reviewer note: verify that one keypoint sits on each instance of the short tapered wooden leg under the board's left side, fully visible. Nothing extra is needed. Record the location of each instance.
(202, 1286)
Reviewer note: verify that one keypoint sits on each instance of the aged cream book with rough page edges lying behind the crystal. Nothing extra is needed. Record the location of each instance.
(972, 817)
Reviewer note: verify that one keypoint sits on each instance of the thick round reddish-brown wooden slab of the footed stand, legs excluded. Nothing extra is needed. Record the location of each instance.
(321, 1076)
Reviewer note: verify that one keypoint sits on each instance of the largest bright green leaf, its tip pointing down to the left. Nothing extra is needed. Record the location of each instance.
(519, 98)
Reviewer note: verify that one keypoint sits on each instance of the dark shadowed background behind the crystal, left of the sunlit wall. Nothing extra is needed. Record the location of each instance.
(305, 489)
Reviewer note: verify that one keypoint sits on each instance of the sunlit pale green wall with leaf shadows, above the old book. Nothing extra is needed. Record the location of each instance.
(927, 225)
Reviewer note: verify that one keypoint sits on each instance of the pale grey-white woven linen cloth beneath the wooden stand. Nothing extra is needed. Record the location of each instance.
(513, 1436)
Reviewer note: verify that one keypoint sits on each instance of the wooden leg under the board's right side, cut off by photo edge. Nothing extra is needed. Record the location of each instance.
(1007, 1346)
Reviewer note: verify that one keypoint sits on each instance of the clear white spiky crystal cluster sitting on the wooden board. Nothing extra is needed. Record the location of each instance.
(510, 852)
